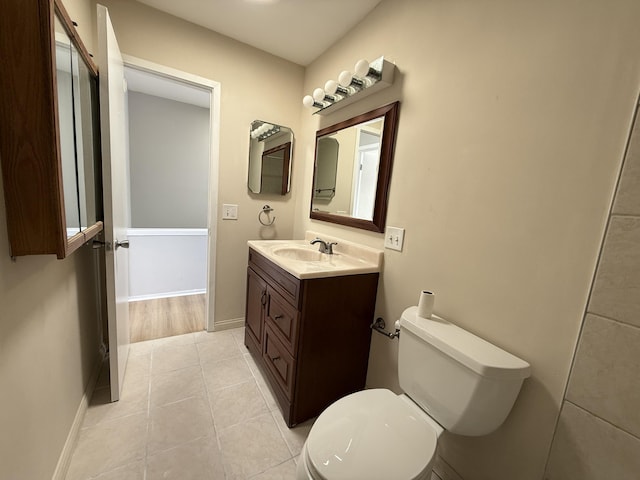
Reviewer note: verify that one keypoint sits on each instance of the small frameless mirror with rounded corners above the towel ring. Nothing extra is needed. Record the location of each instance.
(270, 148)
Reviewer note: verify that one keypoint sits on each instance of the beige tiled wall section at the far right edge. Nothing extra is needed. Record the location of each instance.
(598, 435)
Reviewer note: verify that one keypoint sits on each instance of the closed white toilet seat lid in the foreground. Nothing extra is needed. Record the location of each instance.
(372, 434)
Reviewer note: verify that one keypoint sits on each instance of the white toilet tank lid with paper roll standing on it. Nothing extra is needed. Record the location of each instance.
(482, 357)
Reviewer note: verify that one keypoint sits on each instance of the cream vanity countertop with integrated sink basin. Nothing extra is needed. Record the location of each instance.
(303, 260)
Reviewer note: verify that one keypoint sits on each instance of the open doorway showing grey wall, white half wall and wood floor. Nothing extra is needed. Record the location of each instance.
(172, 123)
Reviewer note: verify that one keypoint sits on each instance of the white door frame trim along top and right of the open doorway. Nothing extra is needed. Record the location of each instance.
(214, 162)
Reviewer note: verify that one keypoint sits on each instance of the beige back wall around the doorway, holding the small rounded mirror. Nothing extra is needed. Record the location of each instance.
(254, 85)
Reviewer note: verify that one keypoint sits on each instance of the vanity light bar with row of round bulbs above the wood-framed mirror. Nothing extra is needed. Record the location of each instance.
(368, 78)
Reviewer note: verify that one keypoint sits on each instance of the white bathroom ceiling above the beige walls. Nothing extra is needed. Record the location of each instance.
(297, 30)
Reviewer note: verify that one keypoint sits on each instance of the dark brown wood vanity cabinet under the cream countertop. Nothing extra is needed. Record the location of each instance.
(311, 337)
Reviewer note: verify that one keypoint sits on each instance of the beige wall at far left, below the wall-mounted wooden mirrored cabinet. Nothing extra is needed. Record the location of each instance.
(48, 349)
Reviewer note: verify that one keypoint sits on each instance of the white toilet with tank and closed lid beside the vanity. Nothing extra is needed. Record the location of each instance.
(452, 381)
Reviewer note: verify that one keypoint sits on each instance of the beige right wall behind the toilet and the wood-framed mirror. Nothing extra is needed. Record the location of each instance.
(512, 127)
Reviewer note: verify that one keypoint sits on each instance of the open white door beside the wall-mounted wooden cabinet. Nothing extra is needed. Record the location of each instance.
(116, 197)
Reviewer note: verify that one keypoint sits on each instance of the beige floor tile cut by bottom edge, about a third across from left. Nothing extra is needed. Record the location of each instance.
(196, 460)
